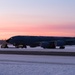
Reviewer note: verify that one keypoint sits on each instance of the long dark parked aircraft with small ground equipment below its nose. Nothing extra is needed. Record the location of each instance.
(42, 41)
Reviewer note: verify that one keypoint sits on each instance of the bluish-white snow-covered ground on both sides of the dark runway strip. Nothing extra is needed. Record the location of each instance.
(37, 65)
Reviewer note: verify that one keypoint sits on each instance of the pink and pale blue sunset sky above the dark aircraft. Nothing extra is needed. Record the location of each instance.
(37, 18)
